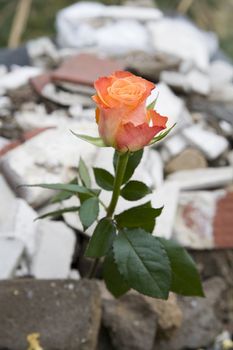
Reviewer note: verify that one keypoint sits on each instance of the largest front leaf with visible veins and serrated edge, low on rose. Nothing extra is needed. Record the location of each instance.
(143, 262)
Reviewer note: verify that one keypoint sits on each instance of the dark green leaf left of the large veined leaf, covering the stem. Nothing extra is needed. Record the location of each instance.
(102, 238)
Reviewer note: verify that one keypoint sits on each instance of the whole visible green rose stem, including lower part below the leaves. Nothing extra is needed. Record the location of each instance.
(120, 172)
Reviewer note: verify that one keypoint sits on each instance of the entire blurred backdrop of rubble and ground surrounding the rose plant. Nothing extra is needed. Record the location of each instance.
(51, 53)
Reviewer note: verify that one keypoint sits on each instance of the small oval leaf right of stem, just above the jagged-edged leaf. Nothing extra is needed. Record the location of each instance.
(135, 190)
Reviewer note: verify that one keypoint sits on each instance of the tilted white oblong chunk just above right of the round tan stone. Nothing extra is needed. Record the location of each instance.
(211, 144)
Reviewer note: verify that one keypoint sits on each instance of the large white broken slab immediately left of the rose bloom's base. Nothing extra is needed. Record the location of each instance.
(47, 158)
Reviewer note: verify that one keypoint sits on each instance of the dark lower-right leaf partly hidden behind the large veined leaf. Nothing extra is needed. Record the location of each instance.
(185, 277)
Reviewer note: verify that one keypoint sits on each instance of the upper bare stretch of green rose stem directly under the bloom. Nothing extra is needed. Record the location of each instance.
(120, 172)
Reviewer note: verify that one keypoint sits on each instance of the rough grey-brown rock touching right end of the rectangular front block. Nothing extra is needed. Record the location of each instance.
(131, 322)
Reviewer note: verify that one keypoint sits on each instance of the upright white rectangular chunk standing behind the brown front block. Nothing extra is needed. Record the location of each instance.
(54, 251)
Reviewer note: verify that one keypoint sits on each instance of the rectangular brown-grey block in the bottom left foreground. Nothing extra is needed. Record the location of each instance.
(66, 314)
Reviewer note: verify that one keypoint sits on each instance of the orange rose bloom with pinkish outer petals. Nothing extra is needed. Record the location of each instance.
(123, 120)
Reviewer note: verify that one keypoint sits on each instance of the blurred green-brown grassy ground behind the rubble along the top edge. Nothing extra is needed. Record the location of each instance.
(214, 15)
